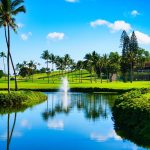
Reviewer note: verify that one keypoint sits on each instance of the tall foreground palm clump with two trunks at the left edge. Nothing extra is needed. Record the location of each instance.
(8, 10)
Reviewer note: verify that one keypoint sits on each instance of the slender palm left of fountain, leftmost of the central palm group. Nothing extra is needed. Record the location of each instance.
(45, 55)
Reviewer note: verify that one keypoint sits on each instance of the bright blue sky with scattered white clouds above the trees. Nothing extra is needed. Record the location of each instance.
(77, 27)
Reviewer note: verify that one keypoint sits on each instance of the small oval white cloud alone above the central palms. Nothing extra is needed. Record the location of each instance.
(56, 36)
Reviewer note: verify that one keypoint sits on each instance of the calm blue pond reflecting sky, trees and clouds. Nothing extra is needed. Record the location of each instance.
(73, 121)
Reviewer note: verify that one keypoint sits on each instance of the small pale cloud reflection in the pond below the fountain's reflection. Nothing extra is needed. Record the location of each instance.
(56, 124)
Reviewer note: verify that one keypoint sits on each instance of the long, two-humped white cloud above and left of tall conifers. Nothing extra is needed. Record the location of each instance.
(116, 26)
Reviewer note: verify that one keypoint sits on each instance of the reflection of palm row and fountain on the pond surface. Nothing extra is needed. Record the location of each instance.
(93, 105)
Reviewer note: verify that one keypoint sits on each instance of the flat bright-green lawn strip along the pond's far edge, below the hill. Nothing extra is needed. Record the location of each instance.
(40, 85)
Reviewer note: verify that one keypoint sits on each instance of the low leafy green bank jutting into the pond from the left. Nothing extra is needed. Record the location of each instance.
(19, 101)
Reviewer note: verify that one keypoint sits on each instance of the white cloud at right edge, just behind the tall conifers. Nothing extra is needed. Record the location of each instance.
(142, 38)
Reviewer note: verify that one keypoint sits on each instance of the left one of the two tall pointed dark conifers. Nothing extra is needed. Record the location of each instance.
(125, 45)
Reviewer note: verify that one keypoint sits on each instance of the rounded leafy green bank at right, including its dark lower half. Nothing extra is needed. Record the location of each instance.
(131, 114)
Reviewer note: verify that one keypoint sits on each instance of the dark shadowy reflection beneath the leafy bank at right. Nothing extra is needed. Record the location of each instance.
(133, 125)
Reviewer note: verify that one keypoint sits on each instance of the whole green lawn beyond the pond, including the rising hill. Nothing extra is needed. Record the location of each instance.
(40, 81)
